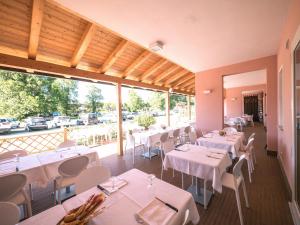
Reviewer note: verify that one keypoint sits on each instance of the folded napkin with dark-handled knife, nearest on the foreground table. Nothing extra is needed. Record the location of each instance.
(155, 213)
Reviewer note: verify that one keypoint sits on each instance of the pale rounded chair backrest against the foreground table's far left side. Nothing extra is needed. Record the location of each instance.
(91, 177)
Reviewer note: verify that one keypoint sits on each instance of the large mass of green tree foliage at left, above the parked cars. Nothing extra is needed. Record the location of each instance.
(23, 95)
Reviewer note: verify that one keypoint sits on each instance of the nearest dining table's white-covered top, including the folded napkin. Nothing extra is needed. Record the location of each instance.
(159, 202)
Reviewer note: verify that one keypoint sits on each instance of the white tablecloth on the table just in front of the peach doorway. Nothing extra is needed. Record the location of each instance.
(232, 143)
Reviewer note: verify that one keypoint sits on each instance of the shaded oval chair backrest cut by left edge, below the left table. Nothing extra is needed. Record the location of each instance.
(11, 185)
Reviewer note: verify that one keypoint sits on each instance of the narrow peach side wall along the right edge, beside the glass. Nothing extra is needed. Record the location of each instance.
(284, 59)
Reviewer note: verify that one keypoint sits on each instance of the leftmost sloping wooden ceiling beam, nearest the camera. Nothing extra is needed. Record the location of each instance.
(35, 27)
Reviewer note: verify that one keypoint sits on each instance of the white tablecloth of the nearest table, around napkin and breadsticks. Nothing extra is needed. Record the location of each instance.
(122, 205)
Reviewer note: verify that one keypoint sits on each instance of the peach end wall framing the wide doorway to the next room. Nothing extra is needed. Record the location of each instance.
(209, 108)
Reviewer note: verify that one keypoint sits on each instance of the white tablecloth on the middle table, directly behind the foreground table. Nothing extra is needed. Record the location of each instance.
(199, 162)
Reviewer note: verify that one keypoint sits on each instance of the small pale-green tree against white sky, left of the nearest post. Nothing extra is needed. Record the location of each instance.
(94, 99)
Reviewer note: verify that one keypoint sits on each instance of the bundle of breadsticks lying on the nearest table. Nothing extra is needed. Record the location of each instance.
(82, 214)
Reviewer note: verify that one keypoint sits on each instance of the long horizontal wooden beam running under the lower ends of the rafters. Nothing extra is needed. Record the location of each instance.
(8, 62)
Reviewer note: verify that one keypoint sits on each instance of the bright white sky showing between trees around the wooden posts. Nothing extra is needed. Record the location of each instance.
(108, 92)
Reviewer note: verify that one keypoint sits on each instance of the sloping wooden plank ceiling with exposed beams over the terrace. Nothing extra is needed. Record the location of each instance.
(42, 31)
